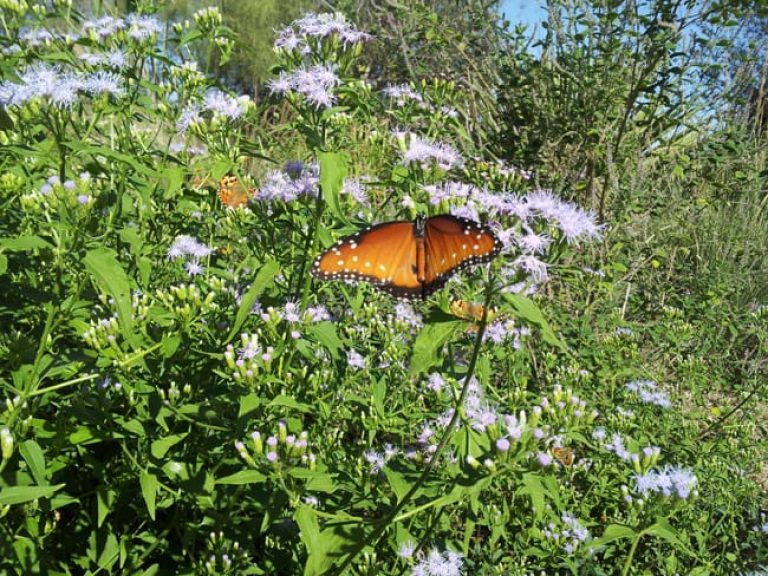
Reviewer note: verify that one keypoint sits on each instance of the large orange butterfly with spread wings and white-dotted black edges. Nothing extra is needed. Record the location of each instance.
(408, 259)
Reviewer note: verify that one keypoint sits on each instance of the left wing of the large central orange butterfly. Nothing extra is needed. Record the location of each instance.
(384, 255)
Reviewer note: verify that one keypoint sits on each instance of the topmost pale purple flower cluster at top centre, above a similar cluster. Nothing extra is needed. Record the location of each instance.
(299, 35)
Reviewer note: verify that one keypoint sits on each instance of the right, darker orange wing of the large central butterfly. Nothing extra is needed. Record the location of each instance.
(452, 244)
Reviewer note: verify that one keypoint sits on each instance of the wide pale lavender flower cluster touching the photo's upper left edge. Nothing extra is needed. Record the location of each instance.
(61, 89)
